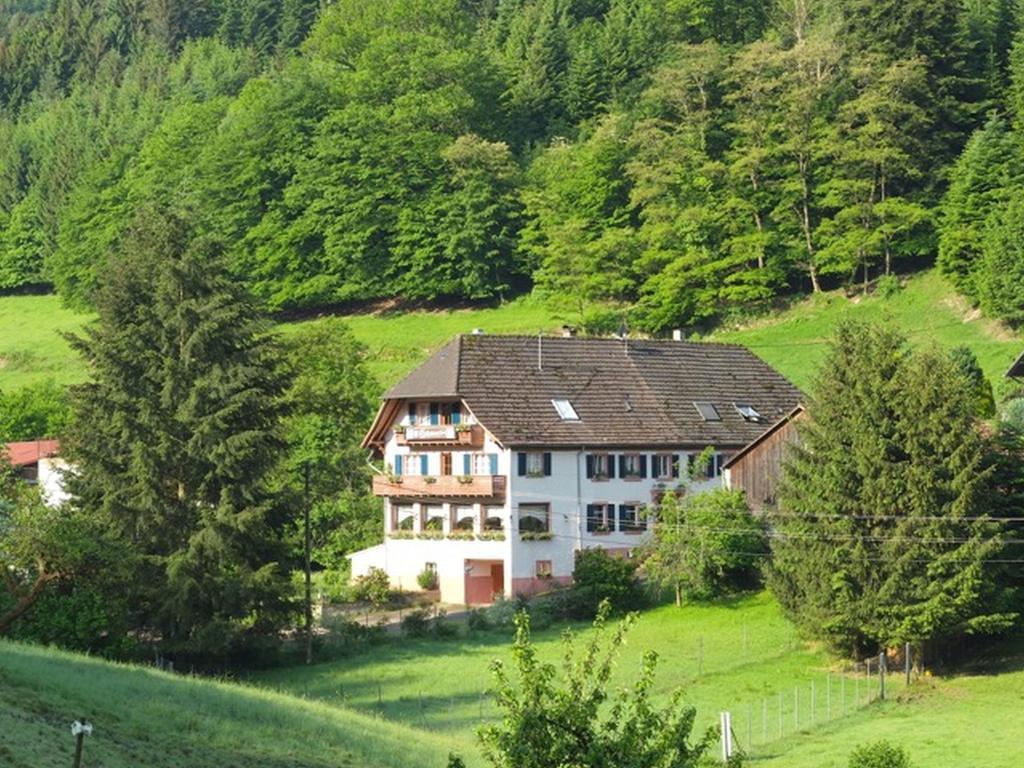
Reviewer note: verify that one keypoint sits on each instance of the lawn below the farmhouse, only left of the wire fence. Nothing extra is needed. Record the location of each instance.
(738, 657)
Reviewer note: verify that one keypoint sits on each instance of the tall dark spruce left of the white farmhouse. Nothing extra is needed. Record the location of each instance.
(176, 437)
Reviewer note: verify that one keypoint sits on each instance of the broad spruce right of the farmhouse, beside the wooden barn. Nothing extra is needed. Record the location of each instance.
(883, 534)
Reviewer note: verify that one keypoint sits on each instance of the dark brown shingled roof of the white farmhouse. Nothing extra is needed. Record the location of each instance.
(638, 393)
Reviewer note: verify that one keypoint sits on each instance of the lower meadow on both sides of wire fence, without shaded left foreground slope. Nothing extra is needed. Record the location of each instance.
(740, 657)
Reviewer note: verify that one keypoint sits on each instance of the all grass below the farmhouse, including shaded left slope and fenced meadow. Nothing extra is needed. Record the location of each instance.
(408, 703)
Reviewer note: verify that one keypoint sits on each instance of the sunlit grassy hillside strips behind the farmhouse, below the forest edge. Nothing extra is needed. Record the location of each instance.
(794, 340)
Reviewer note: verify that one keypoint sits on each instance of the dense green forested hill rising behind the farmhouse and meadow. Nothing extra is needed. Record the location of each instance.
(679, 159)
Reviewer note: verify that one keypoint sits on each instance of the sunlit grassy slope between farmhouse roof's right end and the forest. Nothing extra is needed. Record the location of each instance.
(927, 310)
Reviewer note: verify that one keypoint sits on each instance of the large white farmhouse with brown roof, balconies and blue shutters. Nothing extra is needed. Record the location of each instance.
(504, 455)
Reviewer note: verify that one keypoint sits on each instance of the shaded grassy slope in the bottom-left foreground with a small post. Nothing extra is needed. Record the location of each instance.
(147, 718)
